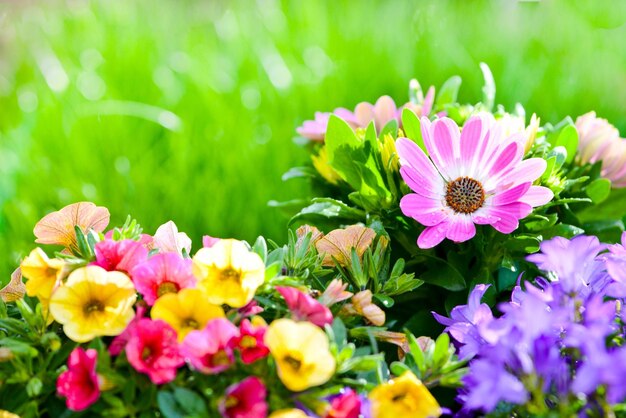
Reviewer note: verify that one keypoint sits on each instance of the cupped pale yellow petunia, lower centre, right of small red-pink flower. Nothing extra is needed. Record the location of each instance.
(301, 352)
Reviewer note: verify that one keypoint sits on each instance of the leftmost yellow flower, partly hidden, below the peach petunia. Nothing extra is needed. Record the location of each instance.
(42, 273)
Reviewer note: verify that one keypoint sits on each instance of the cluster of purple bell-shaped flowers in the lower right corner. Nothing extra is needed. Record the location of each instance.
(557, 341)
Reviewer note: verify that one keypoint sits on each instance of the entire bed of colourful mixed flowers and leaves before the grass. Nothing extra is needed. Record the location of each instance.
(430, 215)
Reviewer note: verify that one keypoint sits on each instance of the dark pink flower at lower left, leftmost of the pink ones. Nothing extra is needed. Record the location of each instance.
(79, 384)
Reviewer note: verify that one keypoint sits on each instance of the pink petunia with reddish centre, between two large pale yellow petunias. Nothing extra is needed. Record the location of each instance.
(163, 273)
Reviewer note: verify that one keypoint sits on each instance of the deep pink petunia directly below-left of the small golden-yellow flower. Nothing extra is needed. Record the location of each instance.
(152, 349)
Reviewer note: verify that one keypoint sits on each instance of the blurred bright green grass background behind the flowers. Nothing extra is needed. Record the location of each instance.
(186, 110)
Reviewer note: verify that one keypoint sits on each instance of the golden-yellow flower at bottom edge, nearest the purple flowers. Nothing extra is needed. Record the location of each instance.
(405, 396)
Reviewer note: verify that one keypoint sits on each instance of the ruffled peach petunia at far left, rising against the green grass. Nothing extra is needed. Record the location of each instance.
(57, 228)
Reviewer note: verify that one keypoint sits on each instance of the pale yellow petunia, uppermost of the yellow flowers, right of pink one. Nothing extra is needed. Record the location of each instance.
(228, 272)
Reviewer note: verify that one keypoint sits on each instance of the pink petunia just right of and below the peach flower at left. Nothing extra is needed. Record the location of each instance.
(120, 255)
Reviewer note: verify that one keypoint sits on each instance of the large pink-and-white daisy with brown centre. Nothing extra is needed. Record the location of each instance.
(473, 177)
